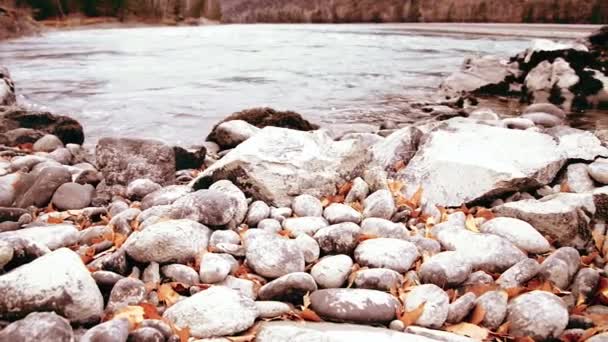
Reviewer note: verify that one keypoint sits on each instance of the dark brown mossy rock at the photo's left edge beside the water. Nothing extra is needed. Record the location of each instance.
(65, 128)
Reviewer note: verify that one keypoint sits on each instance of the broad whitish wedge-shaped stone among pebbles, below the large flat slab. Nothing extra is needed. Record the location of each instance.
(485, 252)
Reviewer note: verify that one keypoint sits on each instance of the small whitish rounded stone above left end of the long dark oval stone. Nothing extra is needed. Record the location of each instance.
(332, 271)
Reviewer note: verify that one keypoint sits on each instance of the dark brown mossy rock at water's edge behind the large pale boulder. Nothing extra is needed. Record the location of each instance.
(263, 117)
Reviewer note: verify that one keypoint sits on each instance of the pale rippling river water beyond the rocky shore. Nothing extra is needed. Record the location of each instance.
(174, 83)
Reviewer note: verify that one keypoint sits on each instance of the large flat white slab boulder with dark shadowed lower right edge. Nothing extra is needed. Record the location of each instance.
(462, 162)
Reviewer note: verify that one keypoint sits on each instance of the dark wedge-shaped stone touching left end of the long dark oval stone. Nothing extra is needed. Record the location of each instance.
(289, 286)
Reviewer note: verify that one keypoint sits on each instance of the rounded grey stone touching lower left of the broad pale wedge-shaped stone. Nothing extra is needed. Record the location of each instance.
(446, 269)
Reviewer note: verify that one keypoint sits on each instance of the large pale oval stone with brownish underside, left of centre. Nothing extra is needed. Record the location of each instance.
(181, 240)
